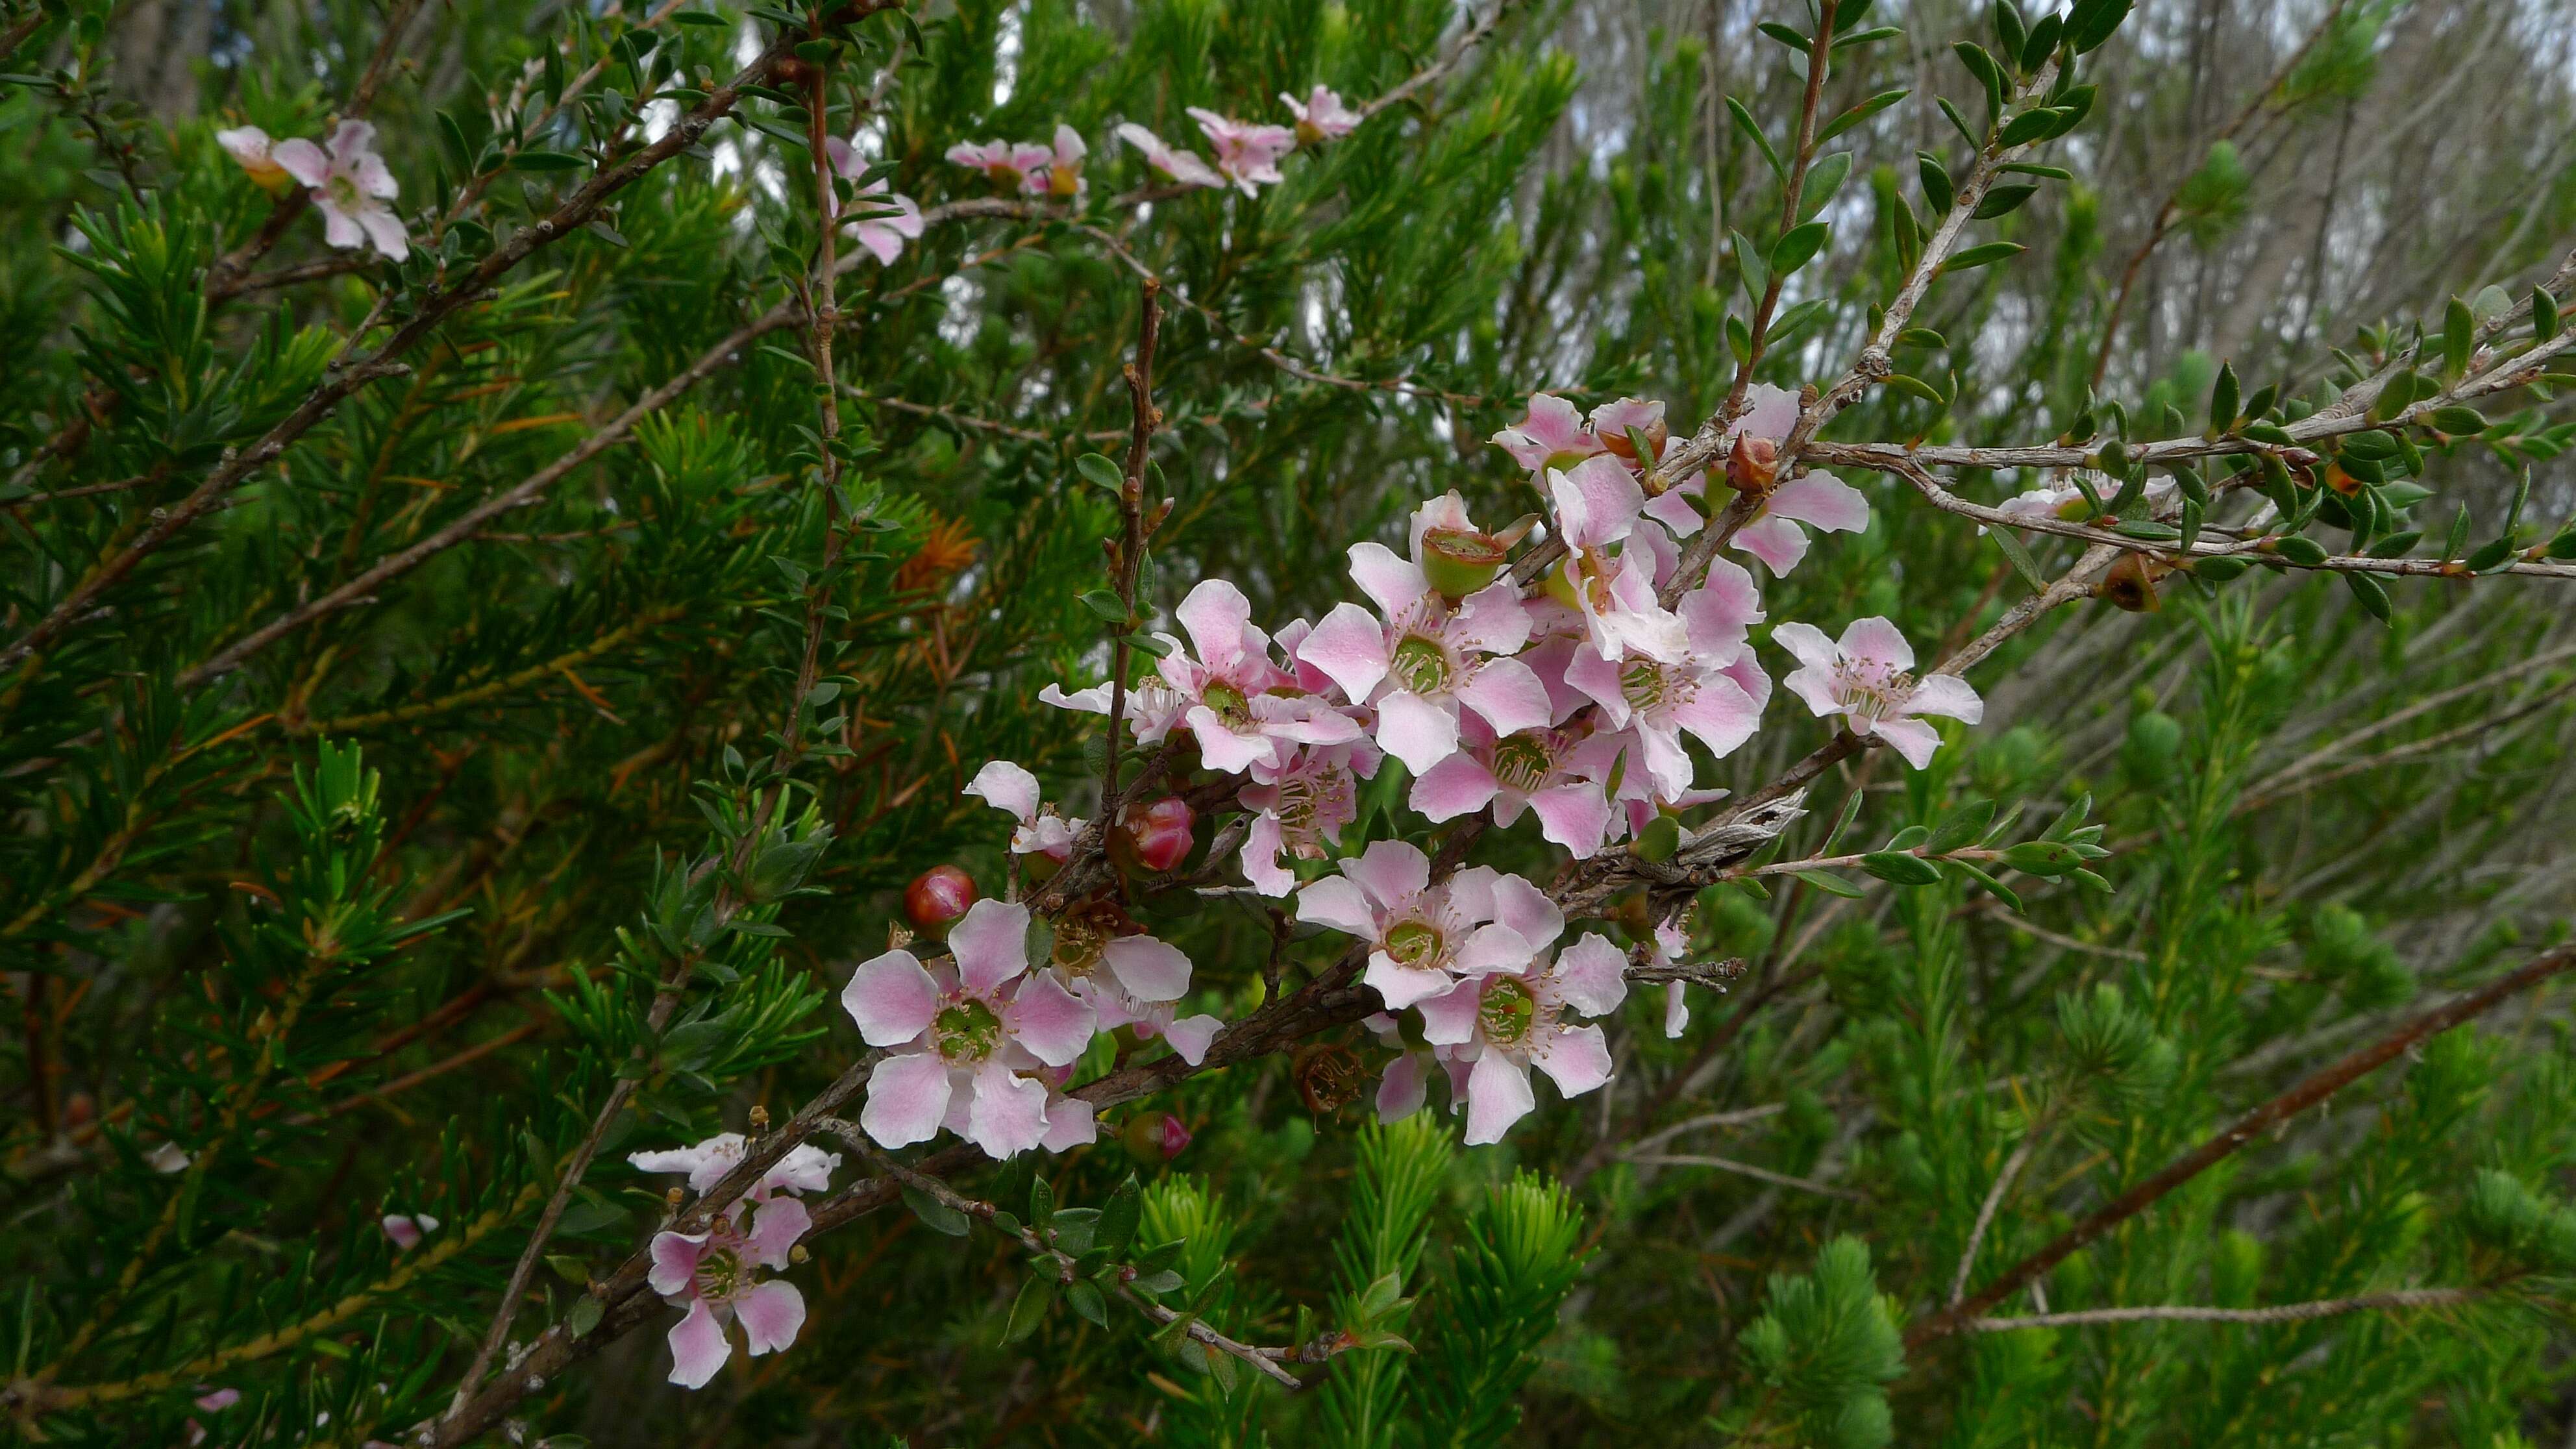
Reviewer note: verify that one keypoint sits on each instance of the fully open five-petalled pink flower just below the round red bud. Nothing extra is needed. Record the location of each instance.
(962, 1035)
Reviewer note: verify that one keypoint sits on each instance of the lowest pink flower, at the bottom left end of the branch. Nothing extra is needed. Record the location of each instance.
(717, 1278)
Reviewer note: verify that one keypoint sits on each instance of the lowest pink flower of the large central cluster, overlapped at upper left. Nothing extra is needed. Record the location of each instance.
(1506, 1025)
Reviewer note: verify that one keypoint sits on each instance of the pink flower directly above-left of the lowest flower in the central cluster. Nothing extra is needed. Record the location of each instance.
(1423, 937)
